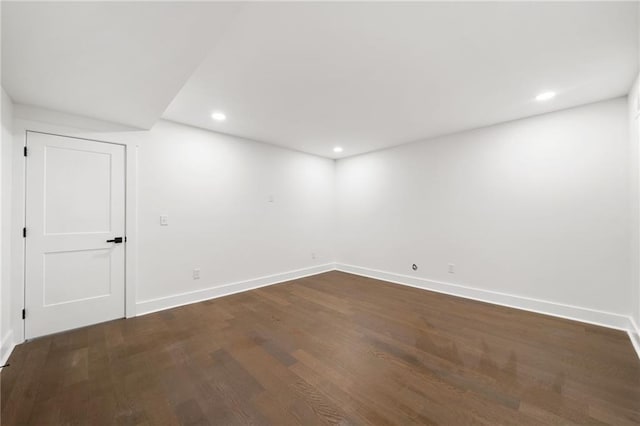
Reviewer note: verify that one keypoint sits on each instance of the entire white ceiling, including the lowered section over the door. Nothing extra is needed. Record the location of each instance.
(310, 76)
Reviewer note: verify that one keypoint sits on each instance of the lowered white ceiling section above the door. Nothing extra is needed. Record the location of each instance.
(119, 62)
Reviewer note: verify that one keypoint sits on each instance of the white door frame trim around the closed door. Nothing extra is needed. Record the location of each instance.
(100, 132)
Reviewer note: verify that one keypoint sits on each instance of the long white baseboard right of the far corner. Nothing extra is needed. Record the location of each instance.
(591, 316)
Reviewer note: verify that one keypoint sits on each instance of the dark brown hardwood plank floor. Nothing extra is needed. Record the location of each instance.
(333, 348)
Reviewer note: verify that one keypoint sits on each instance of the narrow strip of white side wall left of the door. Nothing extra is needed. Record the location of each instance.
(6, 144)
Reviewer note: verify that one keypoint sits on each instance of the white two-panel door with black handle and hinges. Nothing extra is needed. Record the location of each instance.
(75, 209)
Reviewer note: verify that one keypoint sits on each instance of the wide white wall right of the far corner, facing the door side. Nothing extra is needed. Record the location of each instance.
(536, 208)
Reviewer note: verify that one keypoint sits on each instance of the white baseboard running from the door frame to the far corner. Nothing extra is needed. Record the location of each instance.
(159, 304)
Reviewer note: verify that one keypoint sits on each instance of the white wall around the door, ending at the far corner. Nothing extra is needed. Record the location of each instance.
(217, 191)
